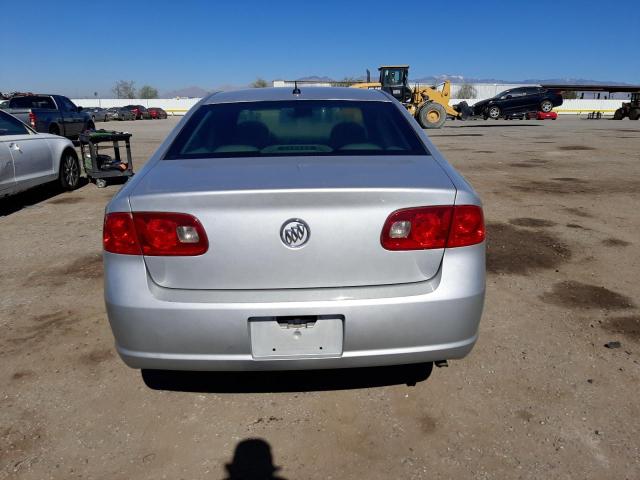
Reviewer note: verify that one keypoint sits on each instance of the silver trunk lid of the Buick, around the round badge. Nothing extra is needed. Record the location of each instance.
(243, 204)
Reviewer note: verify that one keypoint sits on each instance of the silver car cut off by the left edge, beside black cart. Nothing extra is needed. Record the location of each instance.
(29, 159)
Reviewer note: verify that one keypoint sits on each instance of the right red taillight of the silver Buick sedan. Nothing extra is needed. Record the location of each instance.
(425, 228)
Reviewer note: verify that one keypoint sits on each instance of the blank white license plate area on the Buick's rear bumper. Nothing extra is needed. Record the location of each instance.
(296, 336)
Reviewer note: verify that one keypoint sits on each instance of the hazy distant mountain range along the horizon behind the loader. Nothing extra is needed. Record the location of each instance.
(198, 92)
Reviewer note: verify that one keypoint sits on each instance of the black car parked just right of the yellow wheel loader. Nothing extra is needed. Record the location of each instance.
(518, 100)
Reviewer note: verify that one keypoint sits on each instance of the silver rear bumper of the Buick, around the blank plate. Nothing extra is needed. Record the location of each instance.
(158, 328)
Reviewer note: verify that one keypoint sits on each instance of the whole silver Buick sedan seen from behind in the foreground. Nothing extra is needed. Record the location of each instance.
(281, 230)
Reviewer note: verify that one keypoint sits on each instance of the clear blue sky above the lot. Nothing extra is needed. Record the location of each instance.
(77, 48)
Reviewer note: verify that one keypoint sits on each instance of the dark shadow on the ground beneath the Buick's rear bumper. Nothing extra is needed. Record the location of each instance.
(287, 381)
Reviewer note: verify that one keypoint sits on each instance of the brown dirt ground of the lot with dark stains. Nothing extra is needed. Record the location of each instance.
(540, 397)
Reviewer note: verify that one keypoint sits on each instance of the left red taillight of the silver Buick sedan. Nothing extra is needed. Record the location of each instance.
(154, 234)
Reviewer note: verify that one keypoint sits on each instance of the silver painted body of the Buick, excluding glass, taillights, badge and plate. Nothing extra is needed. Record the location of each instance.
(396, 307)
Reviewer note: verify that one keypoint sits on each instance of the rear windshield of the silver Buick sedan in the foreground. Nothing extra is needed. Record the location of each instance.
(293, 128)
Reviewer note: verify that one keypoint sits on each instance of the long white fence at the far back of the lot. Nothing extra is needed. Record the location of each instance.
(180, 106)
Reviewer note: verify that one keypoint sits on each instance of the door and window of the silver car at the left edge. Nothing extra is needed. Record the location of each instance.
(30, 153)
